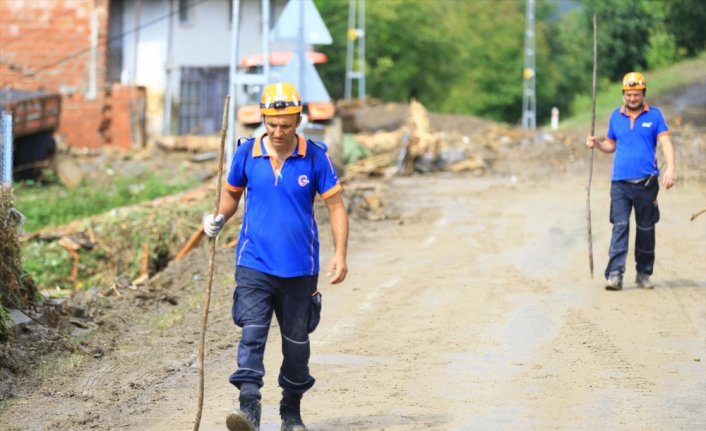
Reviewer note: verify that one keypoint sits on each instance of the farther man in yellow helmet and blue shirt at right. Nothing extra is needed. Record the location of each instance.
(633, 133)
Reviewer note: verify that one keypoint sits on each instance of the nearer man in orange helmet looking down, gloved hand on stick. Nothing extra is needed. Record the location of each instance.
(277, 257)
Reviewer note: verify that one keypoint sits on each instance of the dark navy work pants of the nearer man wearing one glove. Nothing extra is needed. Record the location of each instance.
(297, 306)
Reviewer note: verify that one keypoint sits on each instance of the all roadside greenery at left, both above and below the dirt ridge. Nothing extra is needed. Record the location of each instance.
(124, 240)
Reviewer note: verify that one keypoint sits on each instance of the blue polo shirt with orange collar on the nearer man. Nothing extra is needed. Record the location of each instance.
(279, 235)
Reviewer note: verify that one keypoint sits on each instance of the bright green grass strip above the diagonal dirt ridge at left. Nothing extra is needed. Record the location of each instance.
(54, 204)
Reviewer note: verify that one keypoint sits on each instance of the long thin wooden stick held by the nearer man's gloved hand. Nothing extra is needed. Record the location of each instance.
(211, 264)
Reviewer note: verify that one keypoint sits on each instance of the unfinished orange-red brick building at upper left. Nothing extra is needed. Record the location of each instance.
(61, 46)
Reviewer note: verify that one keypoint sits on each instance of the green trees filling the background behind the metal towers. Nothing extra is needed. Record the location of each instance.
(468, 56)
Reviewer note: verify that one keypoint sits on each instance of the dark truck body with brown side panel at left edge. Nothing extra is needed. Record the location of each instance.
(35, 118)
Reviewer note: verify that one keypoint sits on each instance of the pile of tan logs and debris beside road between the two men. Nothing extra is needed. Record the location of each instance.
(424, 143)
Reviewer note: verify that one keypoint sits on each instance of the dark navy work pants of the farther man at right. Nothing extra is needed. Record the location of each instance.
(624, 196)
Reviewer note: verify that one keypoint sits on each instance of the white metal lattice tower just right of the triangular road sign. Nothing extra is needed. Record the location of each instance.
(356, 36)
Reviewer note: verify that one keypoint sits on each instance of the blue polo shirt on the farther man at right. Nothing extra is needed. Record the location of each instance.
(635, 141)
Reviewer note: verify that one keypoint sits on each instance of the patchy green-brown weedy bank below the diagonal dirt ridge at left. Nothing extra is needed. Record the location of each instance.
(124, 242)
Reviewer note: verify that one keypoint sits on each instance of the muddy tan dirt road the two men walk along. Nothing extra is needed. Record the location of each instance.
(471, 309)
